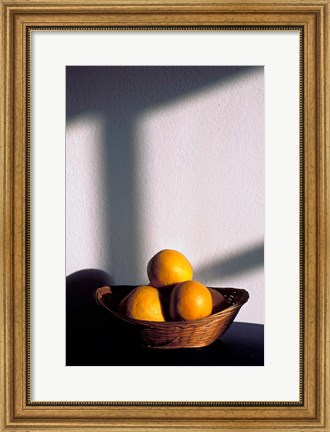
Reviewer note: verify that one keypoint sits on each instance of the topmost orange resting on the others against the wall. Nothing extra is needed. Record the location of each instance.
(169, 267)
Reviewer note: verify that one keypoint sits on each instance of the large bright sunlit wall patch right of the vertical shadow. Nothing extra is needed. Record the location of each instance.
(201, 173)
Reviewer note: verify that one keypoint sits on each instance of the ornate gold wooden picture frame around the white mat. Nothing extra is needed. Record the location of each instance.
(17, 411)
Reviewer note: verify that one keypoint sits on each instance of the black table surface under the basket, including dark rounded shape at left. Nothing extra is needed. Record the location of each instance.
(95, 338)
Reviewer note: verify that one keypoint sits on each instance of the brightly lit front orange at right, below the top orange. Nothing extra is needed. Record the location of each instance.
(190, 300)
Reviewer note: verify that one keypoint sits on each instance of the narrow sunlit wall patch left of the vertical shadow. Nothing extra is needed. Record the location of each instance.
(85, 205)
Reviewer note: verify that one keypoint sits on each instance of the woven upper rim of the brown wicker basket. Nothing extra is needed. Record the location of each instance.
(100, 292)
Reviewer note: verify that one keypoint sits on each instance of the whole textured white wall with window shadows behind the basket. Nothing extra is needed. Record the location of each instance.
(161, 157)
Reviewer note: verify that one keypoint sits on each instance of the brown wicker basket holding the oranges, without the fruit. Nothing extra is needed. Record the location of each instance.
(175, 334)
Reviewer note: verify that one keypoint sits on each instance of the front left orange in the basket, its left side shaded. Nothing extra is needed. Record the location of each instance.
(143, 303)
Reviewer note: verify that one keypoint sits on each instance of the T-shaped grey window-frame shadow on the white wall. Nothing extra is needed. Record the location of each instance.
(119, 95)
